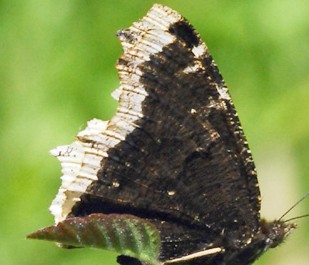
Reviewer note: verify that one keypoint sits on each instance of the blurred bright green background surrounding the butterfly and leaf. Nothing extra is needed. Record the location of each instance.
(57, 72)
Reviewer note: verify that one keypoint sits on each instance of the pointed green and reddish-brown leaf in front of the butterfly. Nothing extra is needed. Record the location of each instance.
(126, 234)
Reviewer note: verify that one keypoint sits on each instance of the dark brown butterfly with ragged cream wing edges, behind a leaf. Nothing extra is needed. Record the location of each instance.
(173, 155)
